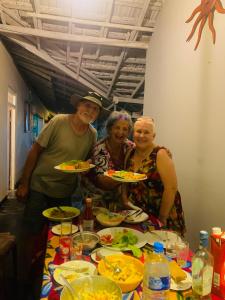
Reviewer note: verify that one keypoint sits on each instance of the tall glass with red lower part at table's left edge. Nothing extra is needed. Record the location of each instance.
(65, 239)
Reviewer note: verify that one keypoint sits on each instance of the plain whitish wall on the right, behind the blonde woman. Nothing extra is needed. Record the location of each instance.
(185, 93)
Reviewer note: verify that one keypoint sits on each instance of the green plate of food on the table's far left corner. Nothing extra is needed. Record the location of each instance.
(54, 214)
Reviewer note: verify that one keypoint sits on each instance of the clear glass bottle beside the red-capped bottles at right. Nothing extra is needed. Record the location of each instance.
(202, 269)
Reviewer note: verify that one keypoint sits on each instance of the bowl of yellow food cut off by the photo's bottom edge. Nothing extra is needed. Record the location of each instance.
(96, 286)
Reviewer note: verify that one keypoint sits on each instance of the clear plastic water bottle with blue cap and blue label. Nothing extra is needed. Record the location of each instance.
(156, 282)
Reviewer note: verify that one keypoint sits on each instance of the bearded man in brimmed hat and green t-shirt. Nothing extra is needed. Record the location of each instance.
(66, 137)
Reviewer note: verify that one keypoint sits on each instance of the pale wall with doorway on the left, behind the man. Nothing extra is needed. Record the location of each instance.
(10, 78)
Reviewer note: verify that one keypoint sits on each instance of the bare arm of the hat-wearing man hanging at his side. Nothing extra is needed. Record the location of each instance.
(30, 164)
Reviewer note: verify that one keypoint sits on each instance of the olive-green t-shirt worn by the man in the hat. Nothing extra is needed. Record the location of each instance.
(60, 144)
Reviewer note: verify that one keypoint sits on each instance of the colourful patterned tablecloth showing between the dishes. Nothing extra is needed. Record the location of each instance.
(51, 290)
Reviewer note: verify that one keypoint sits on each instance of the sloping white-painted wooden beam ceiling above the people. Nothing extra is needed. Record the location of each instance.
(72, 46)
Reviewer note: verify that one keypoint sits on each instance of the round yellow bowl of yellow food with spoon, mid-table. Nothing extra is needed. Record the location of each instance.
(131, 274)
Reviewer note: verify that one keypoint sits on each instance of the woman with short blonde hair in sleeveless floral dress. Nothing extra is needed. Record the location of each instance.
(158, 194)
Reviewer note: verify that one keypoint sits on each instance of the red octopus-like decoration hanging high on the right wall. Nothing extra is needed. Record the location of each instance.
(205, 11)
